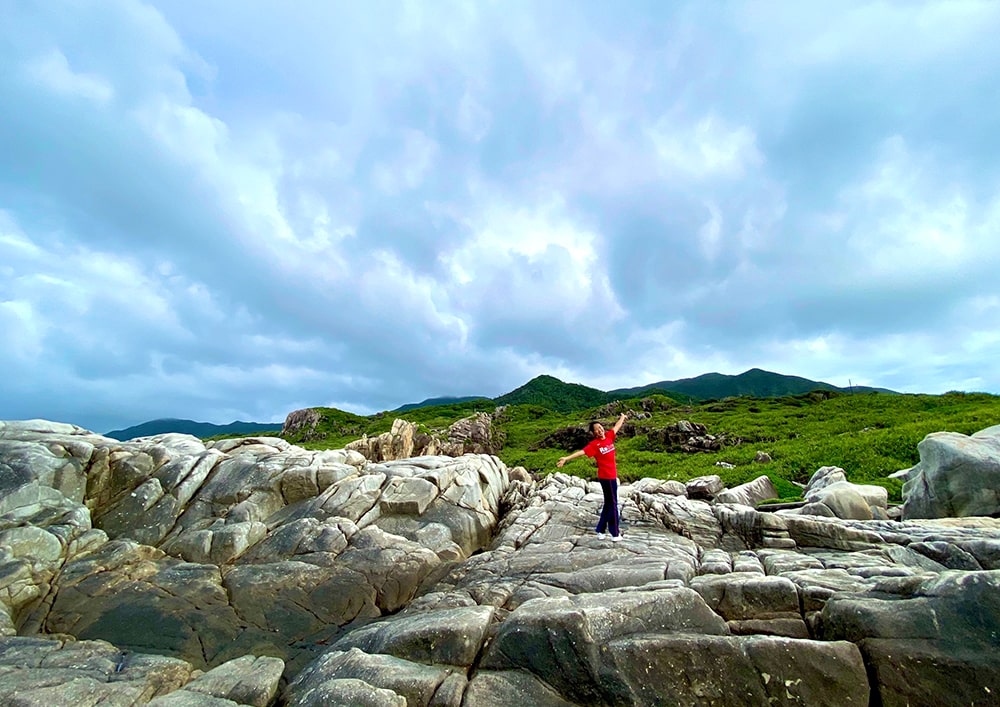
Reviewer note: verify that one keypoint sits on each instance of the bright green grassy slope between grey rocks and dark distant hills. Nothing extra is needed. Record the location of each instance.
(868, 435)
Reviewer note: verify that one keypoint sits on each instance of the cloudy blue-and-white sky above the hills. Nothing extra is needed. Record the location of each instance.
(235, 209)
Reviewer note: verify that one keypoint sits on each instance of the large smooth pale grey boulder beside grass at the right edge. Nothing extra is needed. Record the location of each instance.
(957, 476)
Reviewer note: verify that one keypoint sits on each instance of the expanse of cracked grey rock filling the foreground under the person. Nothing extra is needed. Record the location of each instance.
(166, 571)
